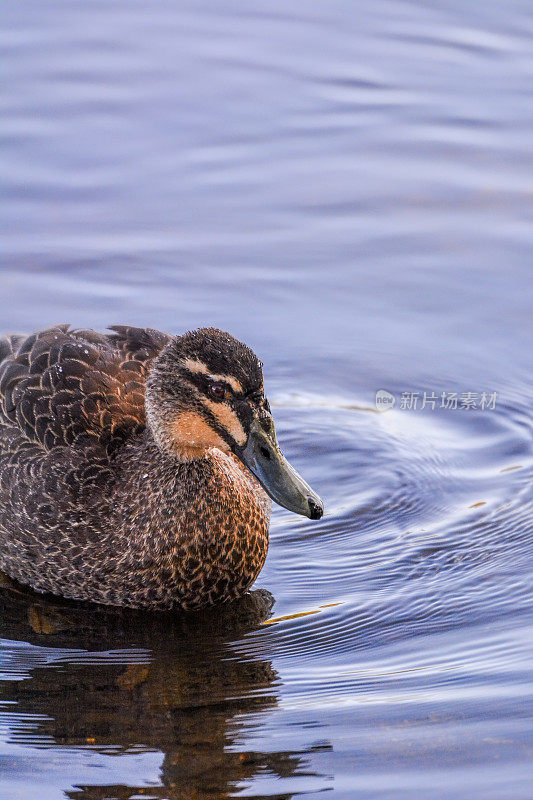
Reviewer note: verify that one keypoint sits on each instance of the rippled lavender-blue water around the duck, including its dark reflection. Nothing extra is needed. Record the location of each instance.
(347, 187)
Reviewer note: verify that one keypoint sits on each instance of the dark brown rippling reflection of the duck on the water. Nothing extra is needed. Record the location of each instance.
(170, 683)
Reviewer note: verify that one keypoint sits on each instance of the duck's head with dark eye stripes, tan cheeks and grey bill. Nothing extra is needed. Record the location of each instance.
(206, 390)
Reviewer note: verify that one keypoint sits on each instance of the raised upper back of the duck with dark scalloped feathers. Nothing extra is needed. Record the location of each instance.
(64, 388)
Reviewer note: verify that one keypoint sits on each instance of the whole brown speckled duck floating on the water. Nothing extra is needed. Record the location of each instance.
(137, 468)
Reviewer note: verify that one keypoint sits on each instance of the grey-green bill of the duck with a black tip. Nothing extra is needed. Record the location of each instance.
(265, 460)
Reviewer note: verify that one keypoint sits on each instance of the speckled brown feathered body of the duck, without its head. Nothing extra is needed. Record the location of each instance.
(90, 507)
